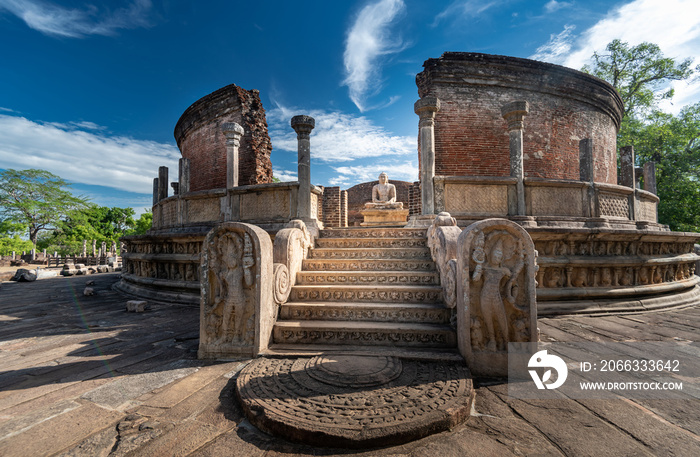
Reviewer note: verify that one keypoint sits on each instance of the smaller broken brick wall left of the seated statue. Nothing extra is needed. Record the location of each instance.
(200, 139)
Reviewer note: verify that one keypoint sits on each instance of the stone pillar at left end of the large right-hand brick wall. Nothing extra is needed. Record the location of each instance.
(426, 108)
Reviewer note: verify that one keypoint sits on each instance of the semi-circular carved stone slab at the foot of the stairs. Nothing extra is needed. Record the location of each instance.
(354, 401)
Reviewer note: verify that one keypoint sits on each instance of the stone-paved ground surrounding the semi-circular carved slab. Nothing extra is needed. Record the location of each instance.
(80, 376)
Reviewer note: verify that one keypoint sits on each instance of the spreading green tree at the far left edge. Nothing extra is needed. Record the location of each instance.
(37, 199)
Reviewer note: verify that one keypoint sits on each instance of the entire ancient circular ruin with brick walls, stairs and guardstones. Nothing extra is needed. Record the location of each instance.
(519, 213)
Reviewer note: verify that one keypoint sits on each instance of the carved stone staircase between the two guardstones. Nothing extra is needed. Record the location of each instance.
(366, 288)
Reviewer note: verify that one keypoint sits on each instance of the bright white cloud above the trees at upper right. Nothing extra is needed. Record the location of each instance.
(673, 25)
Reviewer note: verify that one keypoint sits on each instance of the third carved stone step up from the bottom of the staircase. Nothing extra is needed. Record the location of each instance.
(365, 294)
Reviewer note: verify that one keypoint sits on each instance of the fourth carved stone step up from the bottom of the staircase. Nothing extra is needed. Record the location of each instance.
(384, 278)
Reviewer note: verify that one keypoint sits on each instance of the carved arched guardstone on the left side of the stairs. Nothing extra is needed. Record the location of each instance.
(237, 310)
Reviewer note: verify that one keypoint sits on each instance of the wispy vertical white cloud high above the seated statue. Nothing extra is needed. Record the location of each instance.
(369, 38)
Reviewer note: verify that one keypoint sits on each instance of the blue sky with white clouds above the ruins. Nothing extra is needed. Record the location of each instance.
(91, 91)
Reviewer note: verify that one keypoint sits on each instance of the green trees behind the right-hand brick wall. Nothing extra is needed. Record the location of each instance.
(641, 75)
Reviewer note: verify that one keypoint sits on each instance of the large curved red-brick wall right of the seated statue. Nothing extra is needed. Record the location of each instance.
(566, 106)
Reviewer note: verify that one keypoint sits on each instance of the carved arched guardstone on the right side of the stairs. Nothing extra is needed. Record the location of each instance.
(496, 301)
